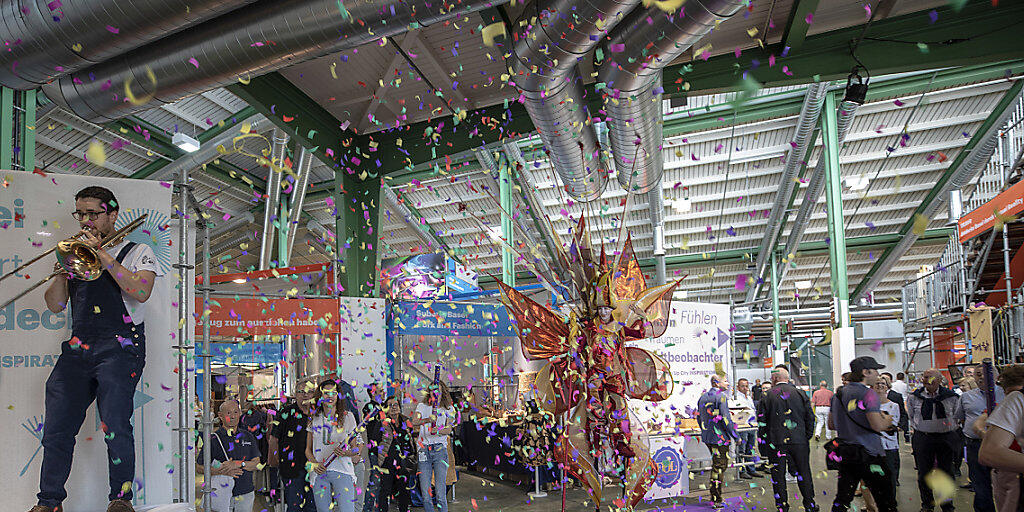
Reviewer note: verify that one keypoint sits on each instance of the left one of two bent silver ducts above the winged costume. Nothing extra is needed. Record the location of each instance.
(554, 36)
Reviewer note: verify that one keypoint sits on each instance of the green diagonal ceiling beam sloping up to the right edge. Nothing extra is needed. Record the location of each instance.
(959, 173)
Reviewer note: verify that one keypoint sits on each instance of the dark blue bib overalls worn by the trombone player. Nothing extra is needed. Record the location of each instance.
(103, 362)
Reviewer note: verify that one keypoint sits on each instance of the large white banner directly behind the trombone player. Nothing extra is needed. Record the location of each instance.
(35, 215)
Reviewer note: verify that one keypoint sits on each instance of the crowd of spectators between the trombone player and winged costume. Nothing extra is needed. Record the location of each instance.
(313, 452)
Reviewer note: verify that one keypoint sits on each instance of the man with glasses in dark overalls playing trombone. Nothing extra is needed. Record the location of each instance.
(104, 360)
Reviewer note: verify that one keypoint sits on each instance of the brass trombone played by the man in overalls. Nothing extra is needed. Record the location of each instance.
(76, 259)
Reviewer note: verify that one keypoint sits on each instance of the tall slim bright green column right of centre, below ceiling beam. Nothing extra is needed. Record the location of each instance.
(834, 206)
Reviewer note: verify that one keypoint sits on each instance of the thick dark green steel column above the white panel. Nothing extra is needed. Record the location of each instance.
(357, 219)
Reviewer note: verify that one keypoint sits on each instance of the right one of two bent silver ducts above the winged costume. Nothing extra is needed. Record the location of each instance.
(652, 39)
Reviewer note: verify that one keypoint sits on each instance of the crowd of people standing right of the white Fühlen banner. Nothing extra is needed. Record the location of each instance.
(945, 426)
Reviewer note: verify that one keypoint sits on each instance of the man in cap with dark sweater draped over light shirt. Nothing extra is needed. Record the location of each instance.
(934, 411)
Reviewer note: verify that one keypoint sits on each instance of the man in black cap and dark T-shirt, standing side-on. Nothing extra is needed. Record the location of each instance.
(856, 416)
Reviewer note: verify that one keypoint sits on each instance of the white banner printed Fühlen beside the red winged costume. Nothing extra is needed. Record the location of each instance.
(696, 346)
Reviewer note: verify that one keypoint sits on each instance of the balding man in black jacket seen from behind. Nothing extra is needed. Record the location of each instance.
(786, 424)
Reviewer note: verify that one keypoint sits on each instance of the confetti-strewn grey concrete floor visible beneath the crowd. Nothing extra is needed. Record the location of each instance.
(494, 495)
